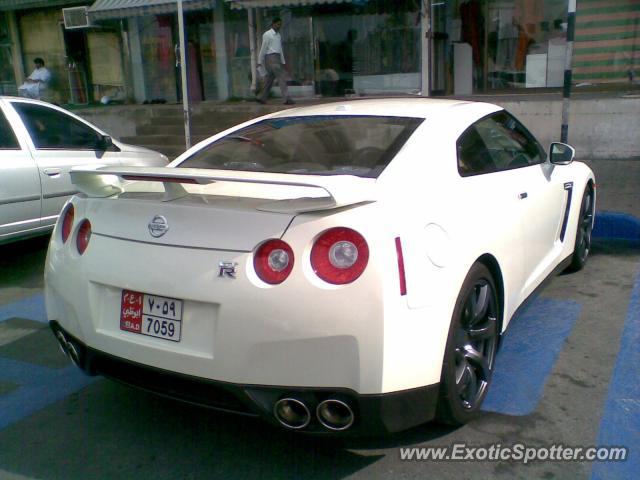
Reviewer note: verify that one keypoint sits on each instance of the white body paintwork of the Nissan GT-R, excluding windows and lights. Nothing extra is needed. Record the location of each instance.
(364, 336)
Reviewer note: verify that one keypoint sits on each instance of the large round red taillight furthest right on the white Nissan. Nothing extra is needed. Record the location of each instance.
(339, 255)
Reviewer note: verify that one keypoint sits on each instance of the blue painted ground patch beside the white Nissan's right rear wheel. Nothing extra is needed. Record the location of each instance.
(528, 353)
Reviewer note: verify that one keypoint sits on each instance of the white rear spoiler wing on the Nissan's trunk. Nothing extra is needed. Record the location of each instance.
(341, 190)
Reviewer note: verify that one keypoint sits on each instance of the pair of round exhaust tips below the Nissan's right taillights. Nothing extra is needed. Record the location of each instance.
(333, 414)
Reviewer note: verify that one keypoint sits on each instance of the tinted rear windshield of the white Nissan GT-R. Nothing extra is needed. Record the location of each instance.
(310, 145)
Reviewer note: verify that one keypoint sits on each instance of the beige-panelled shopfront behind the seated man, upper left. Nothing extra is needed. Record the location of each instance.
(83, 60)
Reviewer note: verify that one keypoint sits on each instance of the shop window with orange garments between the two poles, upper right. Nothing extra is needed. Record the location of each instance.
(493, 45)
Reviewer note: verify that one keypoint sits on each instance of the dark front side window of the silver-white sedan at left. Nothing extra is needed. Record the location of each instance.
(51, 129)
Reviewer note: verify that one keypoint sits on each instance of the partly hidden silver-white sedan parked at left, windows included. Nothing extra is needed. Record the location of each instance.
(39, 143)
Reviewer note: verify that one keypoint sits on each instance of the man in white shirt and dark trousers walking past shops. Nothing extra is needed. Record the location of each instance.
(271, 59)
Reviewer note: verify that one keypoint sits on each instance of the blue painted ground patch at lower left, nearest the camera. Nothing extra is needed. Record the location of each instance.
(38, 388)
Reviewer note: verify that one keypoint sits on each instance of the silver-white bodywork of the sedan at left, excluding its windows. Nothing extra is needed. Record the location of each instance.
(36, 181)
